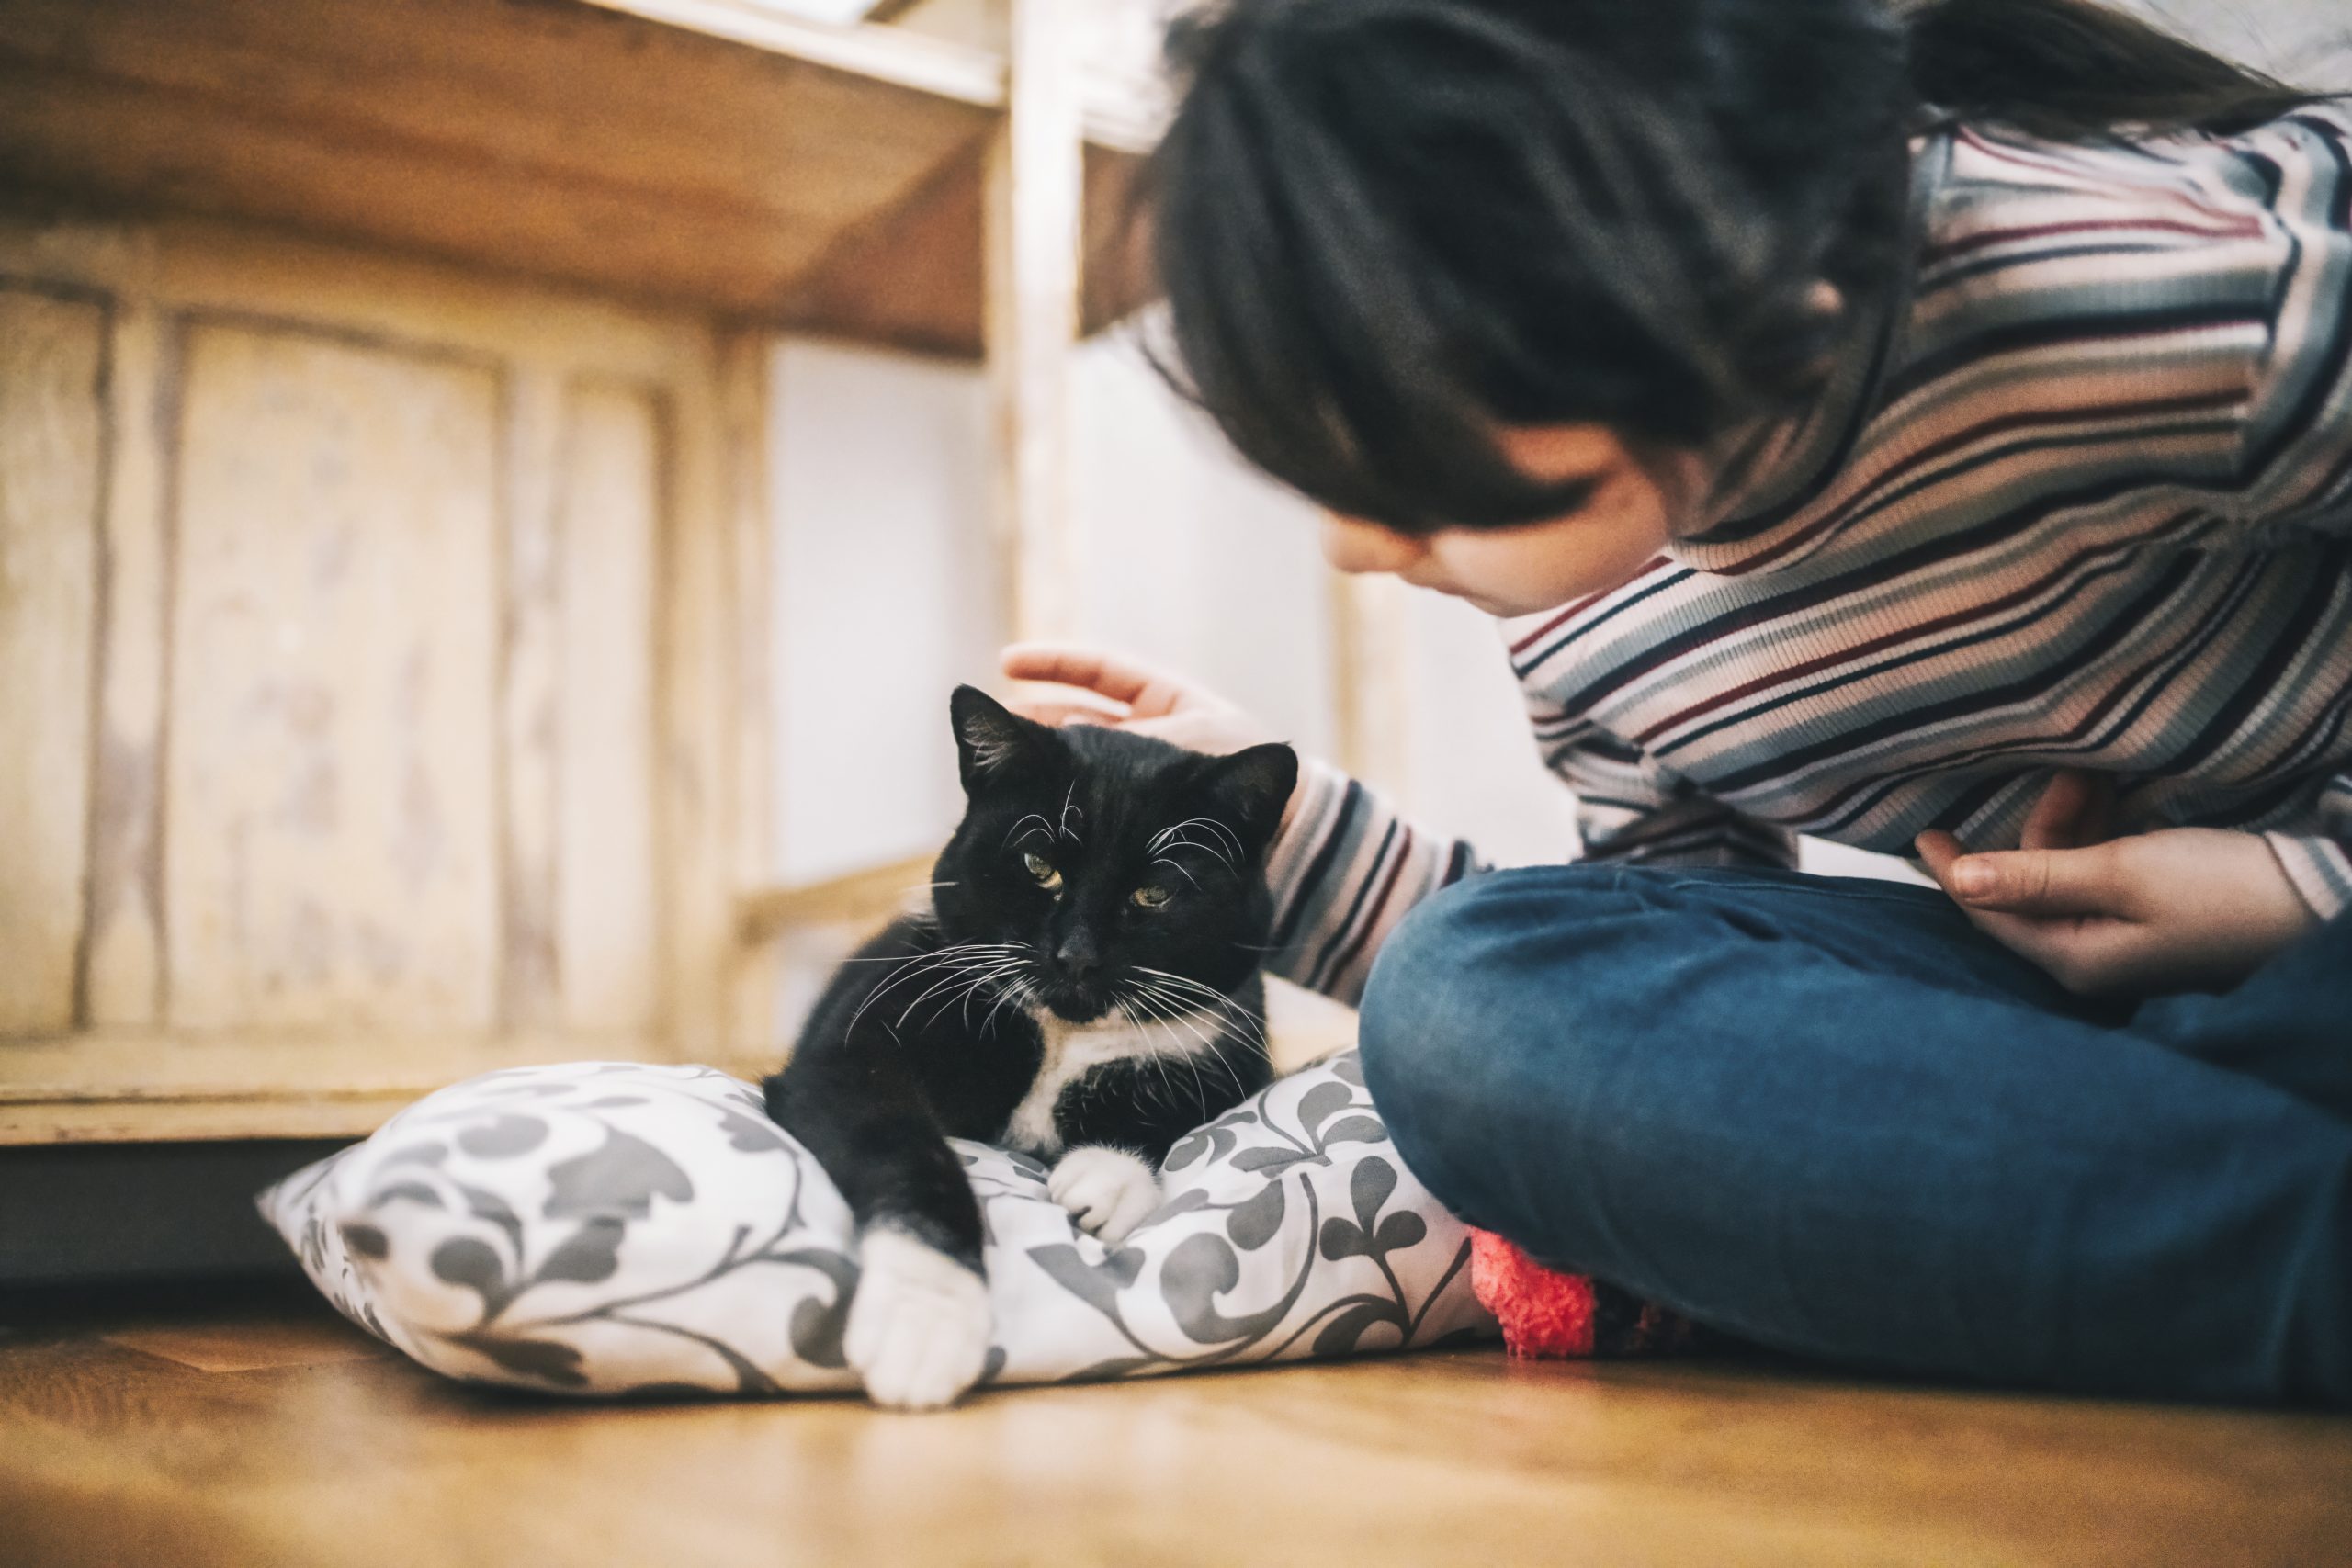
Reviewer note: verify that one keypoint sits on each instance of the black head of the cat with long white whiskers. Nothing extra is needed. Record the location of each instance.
(1118, 873)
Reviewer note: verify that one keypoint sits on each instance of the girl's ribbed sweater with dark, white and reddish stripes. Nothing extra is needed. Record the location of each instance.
(2085, 500)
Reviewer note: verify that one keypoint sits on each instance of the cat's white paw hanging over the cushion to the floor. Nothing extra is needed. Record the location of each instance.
(918, 1325)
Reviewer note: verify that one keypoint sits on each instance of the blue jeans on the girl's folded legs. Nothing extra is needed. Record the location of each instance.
(1833, 1118)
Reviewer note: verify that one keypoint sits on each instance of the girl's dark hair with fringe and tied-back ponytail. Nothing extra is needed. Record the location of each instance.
(1391, 227)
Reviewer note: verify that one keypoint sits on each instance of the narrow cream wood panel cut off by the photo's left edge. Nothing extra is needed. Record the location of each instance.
(51, 464)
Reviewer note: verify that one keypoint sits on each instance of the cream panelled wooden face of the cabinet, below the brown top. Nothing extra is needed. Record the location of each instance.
(373, 678)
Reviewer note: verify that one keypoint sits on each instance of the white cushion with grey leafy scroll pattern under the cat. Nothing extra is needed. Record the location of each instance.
(615, 1228)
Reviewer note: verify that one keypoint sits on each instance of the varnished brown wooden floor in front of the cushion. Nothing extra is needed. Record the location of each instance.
(262, 1430)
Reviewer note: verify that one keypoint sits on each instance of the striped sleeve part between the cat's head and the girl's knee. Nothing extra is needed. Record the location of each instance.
(1344, 873)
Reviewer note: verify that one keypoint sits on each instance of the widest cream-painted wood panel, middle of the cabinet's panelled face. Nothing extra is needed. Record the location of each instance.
(328, 805)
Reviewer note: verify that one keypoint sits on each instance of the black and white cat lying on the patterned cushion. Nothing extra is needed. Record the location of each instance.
(1085, 991)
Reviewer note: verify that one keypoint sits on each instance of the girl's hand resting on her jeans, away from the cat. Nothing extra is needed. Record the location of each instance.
(2186, 909)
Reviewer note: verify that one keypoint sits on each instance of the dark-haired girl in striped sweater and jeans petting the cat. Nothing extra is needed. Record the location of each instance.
(1930, 434)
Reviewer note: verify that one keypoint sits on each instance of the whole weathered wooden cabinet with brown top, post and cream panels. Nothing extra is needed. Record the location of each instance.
(385, 523)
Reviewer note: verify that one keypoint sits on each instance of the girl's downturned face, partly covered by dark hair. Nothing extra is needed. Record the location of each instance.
(1636, 507)
